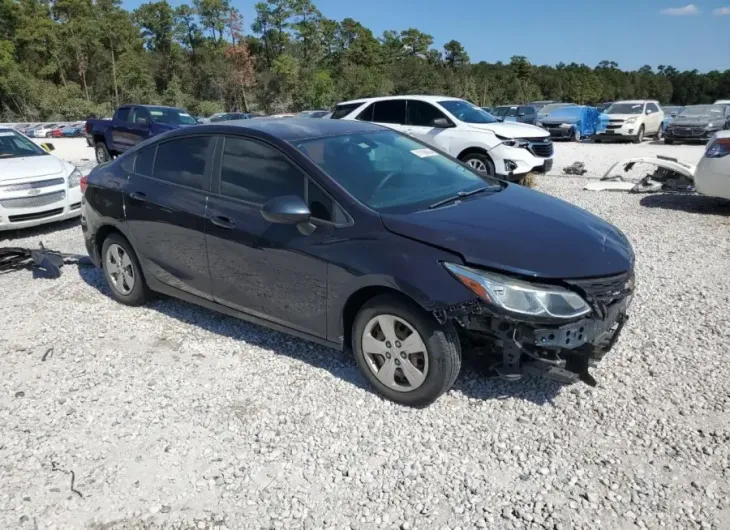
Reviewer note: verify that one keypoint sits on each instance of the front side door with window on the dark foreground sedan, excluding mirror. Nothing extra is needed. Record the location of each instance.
(271, 271)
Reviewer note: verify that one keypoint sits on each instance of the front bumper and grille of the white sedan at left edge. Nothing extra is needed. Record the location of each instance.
(31, 202)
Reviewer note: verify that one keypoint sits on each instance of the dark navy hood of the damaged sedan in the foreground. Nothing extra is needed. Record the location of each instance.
(521, 231)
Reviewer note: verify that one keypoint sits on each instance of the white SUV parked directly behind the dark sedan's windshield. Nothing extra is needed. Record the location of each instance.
(508, 150)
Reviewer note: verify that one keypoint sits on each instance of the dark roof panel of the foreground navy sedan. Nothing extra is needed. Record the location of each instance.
(290, 130)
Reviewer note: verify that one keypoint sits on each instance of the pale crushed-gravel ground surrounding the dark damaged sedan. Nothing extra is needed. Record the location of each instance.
(171, 416)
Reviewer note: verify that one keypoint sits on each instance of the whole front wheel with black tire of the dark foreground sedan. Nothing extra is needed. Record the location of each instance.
(436, 368)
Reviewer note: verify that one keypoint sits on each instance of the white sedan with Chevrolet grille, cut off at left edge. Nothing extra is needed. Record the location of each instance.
(35, 186)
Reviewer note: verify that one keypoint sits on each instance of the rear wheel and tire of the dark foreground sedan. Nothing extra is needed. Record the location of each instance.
(126, 283)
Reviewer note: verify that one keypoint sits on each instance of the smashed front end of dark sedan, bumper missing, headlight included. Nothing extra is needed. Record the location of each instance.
(556, 330)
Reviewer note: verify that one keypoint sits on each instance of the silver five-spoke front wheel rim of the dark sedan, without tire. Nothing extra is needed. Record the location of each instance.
(395, 353)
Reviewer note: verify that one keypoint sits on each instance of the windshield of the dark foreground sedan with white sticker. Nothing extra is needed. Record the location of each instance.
(391, 173)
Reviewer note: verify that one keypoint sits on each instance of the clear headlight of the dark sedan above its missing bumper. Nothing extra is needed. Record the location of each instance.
(523, 298)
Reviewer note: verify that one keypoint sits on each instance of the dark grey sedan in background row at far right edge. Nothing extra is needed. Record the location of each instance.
(697, 123)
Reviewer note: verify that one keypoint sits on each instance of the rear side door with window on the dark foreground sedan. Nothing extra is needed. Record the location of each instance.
(164, 201)
